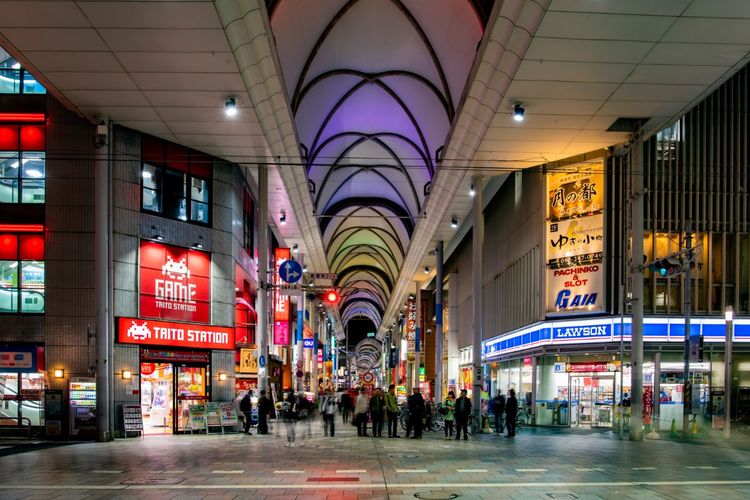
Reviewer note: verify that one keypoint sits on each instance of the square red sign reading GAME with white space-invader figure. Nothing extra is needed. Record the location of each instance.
(175, 283)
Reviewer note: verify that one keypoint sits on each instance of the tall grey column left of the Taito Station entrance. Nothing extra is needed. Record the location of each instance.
(101, 264)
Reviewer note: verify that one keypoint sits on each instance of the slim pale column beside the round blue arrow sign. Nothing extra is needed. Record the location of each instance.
(261, 300)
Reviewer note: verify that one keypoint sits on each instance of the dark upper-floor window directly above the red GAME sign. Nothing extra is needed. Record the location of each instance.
(175, 181)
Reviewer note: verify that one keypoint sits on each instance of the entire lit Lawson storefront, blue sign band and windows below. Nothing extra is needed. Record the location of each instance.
(569, 374)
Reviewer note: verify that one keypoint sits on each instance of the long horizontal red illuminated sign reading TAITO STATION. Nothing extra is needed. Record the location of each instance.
(168, 333)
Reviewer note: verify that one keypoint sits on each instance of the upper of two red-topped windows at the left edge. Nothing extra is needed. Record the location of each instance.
(22, 163)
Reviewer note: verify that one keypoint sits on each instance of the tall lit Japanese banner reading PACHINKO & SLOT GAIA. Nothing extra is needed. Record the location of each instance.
(575, 239)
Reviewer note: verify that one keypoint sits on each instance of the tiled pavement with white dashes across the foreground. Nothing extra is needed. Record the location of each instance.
(533, 465)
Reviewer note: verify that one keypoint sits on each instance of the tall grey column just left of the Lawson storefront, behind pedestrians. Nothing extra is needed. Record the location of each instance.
(476, 281)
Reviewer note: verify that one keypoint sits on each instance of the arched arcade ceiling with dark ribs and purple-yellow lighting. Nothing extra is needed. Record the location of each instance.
(373, 87)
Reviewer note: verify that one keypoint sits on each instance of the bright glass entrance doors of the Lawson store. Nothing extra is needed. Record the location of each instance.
(591, 400)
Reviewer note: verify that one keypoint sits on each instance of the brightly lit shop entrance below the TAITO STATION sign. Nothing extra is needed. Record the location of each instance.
(163, 413)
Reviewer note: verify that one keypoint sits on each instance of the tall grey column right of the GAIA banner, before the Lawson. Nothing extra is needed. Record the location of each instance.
(636, 273)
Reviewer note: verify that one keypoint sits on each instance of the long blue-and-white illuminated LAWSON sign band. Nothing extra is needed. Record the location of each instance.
(602, 330)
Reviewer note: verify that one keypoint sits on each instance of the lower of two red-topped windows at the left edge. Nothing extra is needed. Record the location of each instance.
(21, 273)
